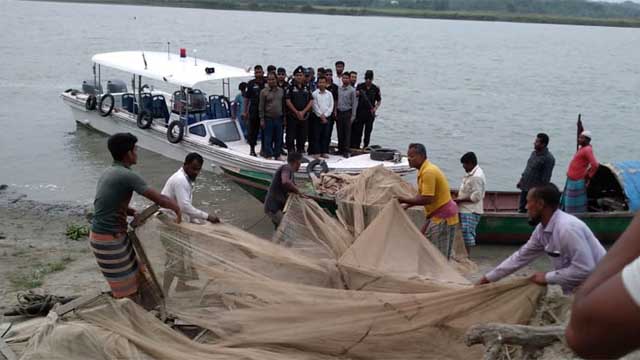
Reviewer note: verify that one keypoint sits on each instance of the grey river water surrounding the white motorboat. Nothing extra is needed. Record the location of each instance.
(455, 86)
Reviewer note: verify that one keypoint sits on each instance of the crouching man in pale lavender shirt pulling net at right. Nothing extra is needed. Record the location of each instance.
(570, 244)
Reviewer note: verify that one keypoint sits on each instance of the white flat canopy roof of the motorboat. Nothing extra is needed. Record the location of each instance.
(170, 68)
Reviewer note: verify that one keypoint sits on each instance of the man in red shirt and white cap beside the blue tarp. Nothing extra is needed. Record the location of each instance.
(581, 169)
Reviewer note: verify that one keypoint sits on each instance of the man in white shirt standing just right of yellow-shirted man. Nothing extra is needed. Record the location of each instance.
(470, 198)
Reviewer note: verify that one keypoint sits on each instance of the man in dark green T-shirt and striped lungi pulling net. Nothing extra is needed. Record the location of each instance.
(108, 238)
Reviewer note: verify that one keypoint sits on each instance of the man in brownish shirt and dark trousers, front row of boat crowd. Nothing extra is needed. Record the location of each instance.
(271, 113)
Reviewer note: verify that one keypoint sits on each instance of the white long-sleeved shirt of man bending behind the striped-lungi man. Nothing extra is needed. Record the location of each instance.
(180, 188)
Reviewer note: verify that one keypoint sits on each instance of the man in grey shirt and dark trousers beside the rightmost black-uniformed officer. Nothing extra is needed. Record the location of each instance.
(345, 113)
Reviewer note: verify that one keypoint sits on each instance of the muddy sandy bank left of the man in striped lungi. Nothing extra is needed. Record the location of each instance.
(34, 249)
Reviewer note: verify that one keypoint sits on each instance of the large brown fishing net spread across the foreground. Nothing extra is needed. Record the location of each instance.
(315, 291)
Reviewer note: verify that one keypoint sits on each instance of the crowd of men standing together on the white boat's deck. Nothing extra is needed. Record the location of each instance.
(299, 113)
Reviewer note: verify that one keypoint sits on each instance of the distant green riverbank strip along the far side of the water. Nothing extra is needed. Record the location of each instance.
(578, 12)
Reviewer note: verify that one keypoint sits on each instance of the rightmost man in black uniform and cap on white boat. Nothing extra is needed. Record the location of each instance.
(369, 100)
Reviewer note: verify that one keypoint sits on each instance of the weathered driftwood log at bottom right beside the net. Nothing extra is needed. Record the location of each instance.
(531, 338)
